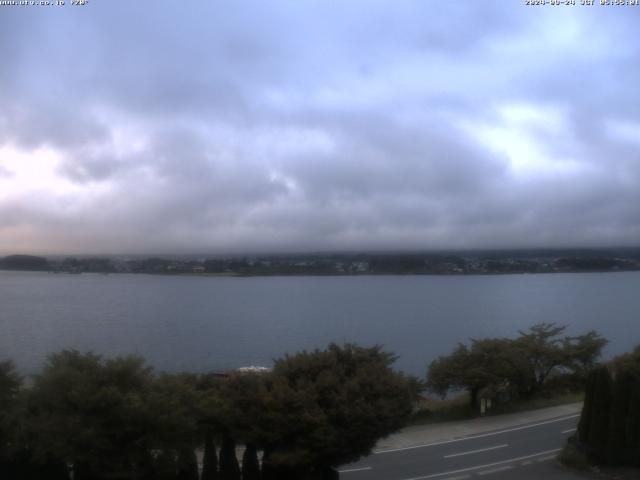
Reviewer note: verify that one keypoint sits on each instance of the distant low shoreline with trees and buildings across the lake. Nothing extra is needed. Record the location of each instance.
(507, 262)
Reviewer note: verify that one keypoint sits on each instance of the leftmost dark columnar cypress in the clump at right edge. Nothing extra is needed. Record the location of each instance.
(599, 421)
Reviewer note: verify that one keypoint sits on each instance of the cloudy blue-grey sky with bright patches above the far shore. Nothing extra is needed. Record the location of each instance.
(290, 126)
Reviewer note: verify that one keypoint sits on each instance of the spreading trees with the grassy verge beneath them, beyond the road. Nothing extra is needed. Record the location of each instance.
(541, 367)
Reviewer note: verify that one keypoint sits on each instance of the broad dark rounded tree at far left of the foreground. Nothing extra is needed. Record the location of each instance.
(92, 414)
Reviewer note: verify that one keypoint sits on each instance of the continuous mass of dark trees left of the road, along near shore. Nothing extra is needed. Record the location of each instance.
(90, 418)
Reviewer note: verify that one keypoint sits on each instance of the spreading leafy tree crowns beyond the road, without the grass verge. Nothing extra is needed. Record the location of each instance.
(540, 360)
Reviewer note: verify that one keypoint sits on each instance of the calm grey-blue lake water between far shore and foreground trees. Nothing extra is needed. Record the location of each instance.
(213, 323)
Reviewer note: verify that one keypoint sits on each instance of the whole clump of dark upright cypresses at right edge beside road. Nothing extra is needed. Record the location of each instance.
(609, 427)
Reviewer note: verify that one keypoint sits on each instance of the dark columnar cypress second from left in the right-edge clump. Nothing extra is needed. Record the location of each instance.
(616, 438)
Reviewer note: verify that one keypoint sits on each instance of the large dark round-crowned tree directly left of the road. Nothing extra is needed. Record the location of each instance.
(327, 408)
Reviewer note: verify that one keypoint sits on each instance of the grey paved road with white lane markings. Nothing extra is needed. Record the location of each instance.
(518, 451)
